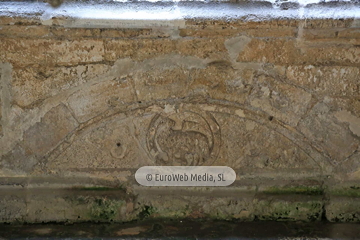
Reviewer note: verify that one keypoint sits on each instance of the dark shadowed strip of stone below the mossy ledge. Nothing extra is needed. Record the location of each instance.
(185, 229)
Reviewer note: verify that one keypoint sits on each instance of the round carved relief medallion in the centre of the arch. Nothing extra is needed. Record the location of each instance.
(183, 139)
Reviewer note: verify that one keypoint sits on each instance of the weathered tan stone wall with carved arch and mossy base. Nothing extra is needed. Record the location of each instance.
(83, 108)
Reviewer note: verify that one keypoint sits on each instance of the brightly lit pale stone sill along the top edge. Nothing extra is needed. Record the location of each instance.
(172, 14)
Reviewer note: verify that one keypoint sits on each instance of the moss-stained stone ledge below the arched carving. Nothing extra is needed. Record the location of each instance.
(91, 203)
